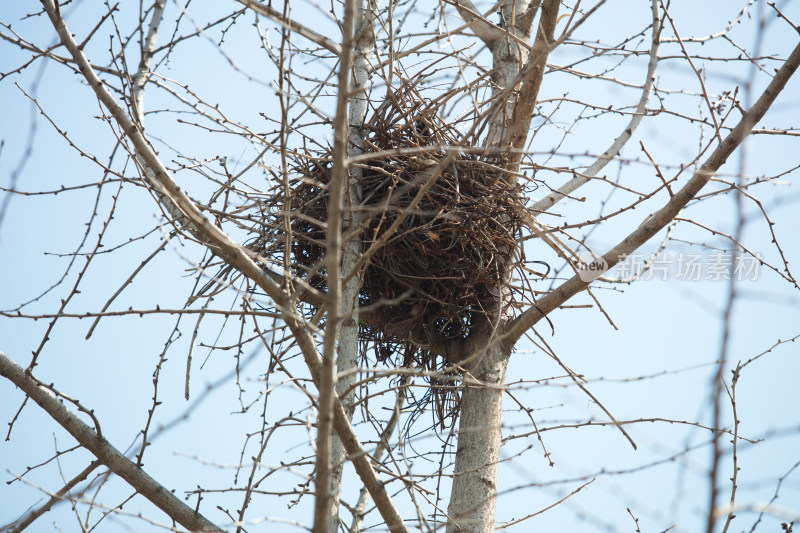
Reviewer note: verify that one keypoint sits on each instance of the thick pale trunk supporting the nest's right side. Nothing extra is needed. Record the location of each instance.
(517, 77)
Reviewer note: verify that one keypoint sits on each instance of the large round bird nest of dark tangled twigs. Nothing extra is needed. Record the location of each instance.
(440, 272)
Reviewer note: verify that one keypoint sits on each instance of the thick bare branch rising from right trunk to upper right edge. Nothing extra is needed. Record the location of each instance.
(665, 215)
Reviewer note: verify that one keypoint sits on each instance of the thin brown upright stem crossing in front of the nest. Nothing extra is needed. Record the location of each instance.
(333, 253)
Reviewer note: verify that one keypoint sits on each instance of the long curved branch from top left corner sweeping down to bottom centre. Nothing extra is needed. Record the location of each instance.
(237, 256)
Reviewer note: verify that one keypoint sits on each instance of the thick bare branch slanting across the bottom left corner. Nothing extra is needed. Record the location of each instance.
(104, 451)
